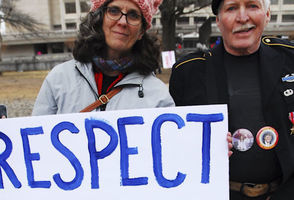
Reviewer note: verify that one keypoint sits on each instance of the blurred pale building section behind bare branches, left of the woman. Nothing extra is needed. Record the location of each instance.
(60, 19)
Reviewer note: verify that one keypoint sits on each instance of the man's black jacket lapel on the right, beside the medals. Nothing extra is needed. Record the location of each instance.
(270, 71)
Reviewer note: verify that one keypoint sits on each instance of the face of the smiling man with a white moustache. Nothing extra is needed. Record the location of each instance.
(241, 23)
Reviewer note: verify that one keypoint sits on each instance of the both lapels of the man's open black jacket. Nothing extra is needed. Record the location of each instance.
(270, 74)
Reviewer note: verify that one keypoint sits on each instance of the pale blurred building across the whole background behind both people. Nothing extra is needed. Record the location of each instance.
(60, 19)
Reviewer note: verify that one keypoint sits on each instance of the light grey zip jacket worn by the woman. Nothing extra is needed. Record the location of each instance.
(71, 86)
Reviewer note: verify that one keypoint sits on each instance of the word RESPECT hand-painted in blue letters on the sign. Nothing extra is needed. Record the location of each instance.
(115, 136)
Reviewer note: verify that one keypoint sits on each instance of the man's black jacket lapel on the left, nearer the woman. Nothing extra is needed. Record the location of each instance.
(216, 83)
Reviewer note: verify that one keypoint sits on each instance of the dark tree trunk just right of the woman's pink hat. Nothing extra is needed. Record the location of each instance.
(168, 22)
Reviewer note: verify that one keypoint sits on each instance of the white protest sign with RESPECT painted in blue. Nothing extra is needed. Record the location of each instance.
(163, 153)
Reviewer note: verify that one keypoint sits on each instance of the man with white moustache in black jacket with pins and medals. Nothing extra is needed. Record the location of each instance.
(254, 76)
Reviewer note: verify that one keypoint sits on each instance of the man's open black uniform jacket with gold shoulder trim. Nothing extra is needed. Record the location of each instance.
(200, 78)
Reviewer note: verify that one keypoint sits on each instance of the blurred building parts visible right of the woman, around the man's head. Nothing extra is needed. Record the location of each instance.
(188, 26)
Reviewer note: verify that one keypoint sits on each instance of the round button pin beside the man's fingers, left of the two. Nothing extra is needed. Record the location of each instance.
(242, 139)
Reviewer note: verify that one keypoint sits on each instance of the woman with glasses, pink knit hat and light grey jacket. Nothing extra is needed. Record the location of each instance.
(112, 50)
